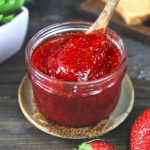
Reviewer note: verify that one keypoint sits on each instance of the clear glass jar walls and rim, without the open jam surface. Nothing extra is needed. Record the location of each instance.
(75, 104)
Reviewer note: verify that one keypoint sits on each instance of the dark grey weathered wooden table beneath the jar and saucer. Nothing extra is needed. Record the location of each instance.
(16, 133)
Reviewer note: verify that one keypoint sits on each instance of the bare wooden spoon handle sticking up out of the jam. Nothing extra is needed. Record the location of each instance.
(104, 17)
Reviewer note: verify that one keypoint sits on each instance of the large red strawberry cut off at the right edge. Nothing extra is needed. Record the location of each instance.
(140, 132)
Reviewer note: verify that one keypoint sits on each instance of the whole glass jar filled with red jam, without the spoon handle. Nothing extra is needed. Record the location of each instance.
(76, 77)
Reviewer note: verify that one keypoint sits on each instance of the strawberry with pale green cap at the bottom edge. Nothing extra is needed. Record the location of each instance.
(96, 145)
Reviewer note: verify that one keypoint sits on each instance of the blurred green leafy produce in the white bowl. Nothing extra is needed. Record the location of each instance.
(9, 8)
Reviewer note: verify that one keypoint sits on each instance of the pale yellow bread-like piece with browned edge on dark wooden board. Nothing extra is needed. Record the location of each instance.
(134, 11)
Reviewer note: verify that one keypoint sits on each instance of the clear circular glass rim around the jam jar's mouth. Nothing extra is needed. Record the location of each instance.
(46, 77)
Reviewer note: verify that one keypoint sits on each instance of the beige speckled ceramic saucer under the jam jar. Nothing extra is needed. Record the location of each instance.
(122, 110)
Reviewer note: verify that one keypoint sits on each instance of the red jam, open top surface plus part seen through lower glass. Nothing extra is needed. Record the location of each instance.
(76, 57)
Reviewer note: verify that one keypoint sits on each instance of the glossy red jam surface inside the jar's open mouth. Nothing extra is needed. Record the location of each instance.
(77, 56)
